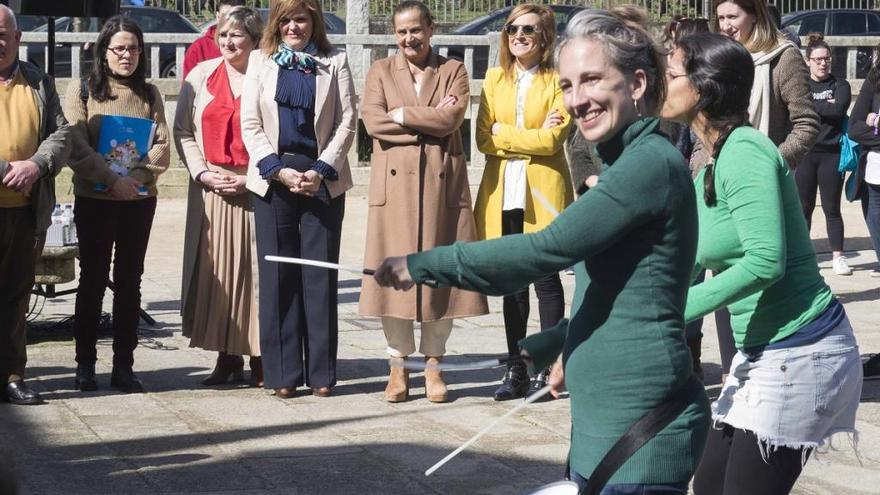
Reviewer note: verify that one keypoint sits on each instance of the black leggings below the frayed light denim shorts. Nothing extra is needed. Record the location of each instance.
(732, 465)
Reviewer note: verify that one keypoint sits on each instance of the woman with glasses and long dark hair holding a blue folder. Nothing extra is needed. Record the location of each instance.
(114, 204)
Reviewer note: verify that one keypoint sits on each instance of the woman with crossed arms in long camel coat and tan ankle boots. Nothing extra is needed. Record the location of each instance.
(413, 106)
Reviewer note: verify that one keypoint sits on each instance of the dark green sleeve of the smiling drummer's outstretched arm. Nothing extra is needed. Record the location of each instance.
(629, 194)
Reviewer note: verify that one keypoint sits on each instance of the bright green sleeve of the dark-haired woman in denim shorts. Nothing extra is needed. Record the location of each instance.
(748, 179)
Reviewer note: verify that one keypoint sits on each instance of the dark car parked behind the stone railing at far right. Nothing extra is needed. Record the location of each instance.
(838, 22)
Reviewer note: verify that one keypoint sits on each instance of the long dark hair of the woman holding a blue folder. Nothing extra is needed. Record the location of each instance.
(99, 84)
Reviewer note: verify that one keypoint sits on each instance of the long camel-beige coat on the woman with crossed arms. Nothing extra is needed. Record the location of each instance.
(419, 195)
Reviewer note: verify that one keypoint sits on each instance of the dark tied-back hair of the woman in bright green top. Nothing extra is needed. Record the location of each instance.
(722, 72)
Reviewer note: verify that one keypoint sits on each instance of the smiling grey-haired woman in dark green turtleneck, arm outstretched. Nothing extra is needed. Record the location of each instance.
(633, 238)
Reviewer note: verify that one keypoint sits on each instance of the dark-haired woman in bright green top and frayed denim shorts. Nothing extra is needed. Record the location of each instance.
(796, 377)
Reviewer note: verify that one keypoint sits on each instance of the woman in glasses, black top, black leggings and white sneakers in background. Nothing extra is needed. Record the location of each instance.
(818, 170)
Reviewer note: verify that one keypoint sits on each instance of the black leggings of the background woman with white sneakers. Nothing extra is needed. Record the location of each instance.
(819, 170)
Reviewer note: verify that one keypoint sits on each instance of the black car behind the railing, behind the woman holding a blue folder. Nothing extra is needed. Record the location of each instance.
(150, 20)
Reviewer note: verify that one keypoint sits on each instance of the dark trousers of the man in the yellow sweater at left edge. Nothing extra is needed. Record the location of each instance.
(18, 250)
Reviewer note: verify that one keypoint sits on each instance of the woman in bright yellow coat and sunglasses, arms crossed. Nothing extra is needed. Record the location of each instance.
(525, 166)
